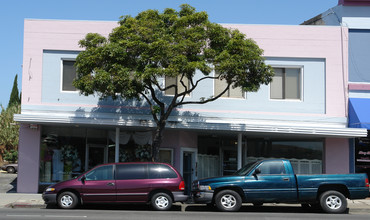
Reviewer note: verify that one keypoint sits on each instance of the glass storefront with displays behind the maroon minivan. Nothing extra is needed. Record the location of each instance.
(66, 152)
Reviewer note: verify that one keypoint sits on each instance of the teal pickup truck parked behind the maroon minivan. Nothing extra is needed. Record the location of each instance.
(274, 181)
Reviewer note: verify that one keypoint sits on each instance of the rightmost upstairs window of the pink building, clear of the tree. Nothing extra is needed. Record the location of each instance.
(286, 84)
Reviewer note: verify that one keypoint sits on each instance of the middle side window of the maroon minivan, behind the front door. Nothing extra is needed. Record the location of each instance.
(131, 171)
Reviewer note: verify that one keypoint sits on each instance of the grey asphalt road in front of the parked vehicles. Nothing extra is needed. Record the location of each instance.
(93, 214)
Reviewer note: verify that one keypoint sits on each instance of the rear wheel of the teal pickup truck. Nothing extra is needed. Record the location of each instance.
(333, 202)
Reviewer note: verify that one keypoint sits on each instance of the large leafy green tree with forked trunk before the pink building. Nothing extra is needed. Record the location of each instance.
(142, 50)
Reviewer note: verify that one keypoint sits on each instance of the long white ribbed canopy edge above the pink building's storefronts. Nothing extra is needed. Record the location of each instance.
(316, 129)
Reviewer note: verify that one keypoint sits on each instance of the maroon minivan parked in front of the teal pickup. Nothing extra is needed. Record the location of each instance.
(143, 182)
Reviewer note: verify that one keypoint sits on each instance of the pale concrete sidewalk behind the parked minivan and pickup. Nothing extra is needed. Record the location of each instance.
(19, 200)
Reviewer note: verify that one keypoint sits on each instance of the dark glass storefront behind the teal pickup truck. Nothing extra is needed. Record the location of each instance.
(218, 155)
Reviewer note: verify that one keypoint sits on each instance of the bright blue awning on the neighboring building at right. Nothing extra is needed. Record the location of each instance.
(359, 113)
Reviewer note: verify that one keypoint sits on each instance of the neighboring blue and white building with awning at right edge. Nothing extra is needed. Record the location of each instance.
(355, 15)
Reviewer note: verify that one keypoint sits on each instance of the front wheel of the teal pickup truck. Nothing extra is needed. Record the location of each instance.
(228, 201)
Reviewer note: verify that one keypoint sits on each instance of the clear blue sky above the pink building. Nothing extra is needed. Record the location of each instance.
(13, 13)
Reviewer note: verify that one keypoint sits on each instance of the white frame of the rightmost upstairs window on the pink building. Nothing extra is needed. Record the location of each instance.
(301, 81)
